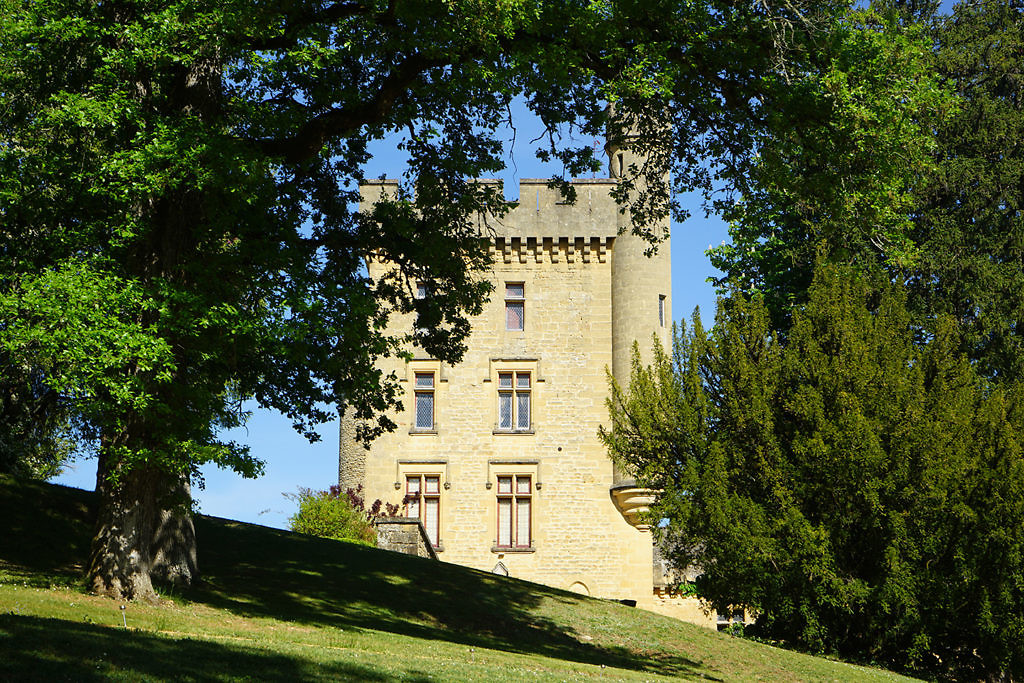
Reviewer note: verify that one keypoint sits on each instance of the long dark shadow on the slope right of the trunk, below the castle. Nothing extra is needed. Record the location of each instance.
(260, 572)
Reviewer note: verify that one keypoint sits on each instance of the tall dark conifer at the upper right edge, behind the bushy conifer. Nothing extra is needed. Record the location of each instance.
(969, 218)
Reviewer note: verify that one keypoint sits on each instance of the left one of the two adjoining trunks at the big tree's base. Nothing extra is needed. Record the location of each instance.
(120, 561)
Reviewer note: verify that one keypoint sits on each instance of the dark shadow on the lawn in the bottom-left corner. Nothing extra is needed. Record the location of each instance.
(45, 650)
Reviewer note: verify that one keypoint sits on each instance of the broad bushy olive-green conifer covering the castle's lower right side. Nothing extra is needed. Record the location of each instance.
(864, 494)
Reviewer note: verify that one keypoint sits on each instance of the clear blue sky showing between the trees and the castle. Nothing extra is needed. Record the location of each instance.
(292, 462)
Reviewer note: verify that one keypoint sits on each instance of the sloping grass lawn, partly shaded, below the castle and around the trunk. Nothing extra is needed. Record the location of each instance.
(276, 606)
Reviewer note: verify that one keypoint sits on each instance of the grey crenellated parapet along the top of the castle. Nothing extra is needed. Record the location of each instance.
(542, 214)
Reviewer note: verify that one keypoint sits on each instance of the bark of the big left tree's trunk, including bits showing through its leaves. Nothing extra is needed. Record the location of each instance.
(145, 530)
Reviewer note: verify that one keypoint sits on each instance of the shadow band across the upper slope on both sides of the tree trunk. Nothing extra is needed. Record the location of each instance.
(260, 572)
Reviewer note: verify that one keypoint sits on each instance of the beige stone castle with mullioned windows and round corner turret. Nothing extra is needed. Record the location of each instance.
(499, 456)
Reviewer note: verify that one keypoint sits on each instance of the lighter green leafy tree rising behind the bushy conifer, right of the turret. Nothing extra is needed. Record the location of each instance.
(809, 195)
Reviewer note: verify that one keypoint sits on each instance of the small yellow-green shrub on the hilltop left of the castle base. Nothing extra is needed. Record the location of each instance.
(331, 515)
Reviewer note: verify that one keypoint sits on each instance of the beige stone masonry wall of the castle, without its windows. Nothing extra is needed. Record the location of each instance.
(565, 258)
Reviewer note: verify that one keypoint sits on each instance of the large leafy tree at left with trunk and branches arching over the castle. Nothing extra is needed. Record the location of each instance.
(179, 183)
